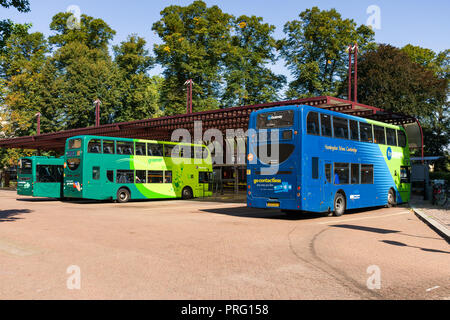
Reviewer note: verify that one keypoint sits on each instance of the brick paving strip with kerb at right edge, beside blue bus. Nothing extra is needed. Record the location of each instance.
(437, 218)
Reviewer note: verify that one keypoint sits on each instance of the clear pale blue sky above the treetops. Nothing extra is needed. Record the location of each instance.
(422, 23)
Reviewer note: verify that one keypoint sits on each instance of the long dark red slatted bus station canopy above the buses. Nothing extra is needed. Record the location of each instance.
(222, 119)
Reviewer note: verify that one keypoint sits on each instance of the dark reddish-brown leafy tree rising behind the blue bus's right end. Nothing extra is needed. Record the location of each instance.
(390, 79)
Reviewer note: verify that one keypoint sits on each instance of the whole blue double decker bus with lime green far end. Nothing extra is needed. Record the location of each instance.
(303, 158)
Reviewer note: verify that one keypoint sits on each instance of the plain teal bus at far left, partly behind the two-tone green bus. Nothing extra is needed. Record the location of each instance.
(40, 177)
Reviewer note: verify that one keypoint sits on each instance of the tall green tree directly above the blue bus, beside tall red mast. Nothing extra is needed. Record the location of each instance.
(315, 50)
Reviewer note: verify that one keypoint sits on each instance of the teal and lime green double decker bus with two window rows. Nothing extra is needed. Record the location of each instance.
(107, 168)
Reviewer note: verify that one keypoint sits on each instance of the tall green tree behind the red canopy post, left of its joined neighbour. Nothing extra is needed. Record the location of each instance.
(195, 39)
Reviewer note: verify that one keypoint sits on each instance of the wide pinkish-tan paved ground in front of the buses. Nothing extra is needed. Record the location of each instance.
(206, 250)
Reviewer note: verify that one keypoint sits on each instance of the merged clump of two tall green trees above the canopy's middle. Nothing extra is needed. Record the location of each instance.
(225, 56)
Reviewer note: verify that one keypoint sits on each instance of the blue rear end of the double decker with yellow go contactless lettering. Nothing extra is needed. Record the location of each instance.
(273, 167)
